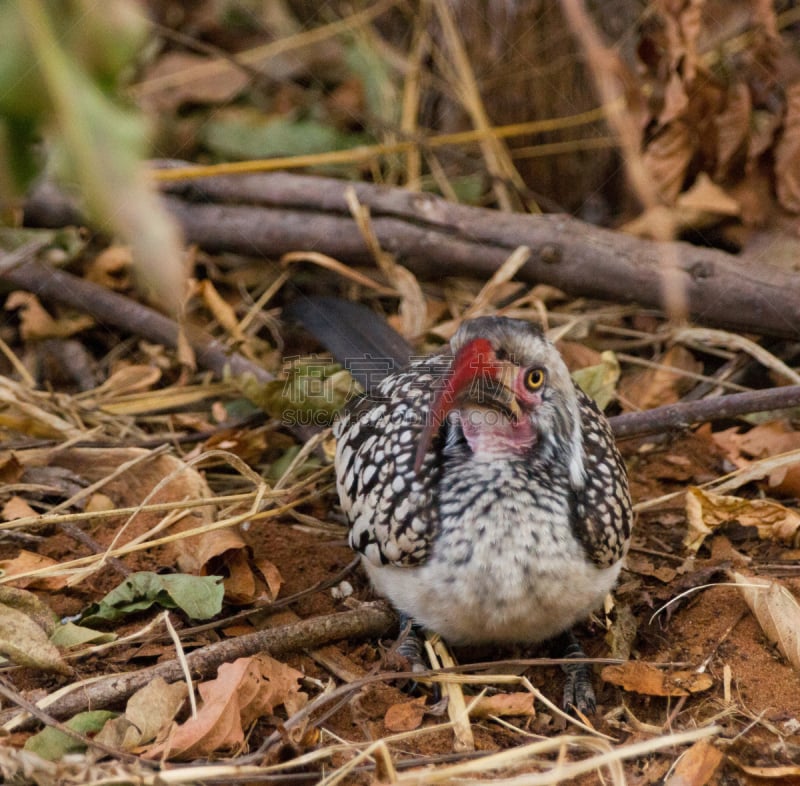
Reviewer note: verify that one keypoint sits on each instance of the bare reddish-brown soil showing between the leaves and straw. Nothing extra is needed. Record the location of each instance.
(754, 697)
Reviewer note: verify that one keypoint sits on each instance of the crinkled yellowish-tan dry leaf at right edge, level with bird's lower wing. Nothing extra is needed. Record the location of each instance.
(706, 511)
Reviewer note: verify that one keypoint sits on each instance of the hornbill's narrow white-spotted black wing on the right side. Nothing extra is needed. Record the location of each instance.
(603, 510)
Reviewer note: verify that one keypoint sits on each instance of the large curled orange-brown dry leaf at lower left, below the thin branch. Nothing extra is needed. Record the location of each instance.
(242, 692)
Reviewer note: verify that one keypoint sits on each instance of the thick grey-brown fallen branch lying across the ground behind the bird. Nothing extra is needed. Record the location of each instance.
(274, 213)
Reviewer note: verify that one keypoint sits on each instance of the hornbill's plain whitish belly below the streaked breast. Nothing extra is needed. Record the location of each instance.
(481, 589)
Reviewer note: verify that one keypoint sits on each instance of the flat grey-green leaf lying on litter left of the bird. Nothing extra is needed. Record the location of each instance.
(199, 597)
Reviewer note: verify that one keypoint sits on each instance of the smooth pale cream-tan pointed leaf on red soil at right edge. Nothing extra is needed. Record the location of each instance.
(777, 612)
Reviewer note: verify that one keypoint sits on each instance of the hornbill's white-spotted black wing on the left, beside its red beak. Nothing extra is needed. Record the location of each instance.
(391, 508)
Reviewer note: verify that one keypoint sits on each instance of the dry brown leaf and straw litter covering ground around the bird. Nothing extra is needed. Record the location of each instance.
(209, 512)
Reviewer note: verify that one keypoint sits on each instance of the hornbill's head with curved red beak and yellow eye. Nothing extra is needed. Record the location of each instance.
(508, 393)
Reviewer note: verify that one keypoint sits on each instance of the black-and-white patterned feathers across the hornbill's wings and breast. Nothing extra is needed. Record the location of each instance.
(396, 513)
